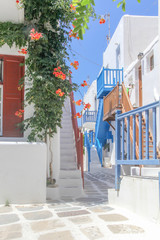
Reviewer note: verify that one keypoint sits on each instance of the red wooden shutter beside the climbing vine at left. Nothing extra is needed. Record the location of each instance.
(12, 97)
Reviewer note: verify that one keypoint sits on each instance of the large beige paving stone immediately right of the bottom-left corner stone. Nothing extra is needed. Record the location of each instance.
(46, 225)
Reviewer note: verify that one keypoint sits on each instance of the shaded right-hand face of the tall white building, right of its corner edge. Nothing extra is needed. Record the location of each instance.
(139, 32)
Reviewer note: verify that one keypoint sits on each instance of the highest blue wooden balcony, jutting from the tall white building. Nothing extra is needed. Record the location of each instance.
(107, 80)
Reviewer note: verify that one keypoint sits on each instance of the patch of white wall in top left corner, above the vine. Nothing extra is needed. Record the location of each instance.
(10, 12)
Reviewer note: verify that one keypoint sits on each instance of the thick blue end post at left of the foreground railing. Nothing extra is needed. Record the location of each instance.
(118, 152)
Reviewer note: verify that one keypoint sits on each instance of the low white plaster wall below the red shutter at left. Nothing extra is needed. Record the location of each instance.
(22, 172)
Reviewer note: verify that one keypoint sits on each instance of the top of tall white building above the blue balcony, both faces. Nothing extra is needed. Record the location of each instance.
(133, 34)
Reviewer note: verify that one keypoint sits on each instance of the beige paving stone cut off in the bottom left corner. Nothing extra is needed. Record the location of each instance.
(10, 232)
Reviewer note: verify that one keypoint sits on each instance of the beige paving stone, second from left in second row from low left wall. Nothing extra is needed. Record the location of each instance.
(37, 215)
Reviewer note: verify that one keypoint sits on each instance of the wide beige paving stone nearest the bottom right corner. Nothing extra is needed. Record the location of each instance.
(125, 229)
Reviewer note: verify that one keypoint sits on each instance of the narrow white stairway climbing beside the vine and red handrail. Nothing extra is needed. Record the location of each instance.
(70, 181)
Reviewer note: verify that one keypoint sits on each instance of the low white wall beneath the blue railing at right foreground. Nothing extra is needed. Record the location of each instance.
(139, 198)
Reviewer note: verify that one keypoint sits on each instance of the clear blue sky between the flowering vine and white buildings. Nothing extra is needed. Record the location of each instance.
(89, 51)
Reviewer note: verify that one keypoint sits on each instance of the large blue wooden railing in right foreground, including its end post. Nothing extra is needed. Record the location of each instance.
(122, 140)
